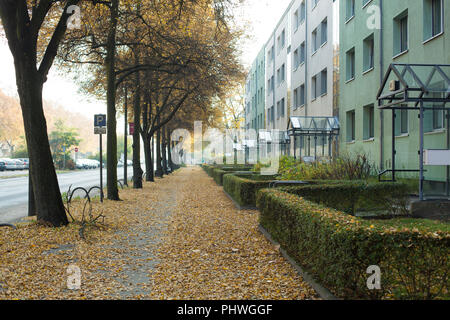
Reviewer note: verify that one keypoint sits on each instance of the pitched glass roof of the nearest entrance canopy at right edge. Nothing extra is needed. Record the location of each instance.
(415, 83)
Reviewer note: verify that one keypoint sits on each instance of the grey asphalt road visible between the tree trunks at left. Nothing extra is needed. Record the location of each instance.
(14, 191)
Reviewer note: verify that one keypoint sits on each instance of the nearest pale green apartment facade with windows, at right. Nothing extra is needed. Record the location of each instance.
(406, 36)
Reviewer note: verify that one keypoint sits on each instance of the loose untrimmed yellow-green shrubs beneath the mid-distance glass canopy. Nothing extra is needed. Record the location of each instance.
(343, 168)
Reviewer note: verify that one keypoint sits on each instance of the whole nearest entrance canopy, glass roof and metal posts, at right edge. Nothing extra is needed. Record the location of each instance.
(424, 88)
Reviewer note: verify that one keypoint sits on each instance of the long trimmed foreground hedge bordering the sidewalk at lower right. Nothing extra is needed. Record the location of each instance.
(337, 248)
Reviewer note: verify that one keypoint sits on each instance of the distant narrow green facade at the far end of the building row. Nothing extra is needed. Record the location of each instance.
(255, 94)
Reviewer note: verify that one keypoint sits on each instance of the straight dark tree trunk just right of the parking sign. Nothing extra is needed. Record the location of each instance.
(111, 147)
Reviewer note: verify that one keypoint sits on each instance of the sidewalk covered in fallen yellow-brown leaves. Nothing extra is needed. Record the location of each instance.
(178, 238)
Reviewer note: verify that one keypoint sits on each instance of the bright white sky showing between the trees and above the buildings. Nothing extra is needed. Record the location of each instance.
(258, 16)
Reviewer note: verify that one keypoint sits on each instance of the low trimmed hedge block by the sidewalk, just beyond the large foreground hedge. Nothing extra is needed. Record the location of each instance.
(243, 188)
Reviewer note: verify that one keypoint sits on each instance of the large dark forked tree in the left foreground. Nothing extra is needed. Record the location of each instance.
(22, 32)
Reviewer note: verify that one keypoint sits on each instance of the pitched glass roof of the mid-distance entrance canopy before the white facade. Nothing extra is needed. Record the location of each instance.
(313, 126)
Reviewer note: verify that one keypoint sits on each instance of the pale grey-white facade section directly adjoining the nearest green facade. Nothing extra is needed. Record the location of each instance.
(315, 32)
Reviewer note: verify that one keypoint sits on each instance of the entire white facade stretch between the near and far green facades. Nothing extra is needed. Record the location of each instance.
(306, 89)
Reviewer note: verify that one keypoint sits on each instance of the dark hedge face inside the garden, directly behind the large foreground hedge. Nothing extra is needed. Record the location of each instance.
(351, 197)
